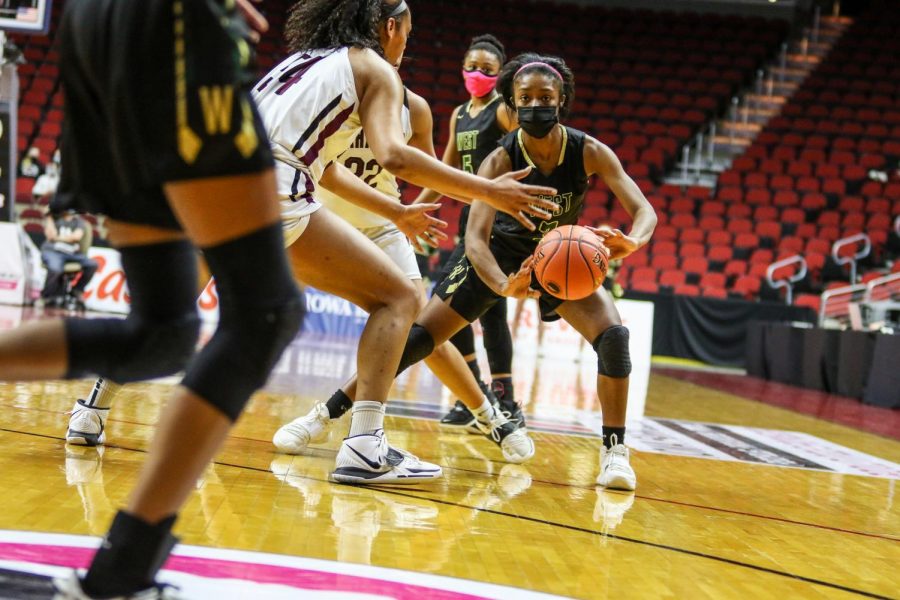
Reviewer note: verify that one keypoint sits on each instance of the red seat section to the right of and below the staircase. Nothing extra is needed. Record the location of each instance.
(802, 185)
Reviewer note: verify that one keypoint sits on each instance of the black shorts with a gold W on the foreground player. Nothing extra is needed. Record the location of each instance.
(156, 91)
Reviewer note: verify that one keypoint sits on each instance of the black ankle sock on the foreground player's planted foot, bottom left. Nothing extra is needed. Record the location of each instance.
(130, 557)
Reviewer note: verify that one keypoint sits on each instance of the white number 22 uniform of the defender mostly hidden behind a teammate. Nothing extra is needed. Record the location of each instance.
(360, 159)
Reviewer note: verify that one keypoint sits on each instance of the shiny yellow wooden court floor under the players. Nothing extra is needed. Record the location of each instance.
(696, 528)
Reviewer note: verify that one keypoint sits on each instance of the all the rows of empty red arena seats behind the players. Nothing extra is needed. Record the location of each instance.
(647, 81)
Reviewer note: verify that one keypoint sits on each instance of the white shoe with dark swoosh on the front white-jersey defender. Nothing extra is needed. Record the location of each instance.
(367, 459)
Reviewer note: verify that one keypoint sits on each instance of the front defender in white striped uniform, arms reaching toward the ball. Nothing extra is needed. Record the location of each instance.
(314, 105)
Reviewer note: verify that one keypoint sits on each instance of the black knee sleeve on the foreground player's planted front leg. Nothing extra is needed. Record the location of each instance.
(261, 310)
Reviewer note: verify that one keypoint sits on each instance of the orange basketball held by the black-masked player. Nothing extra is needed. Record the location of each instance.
(569, 262)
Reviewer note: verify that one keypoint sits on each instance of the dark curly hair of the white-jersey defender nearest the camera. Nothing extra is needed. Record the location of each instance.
(327, 24)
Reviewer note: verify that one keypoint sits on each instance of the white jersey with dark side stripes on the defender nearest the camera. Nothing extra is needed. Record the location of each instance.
(309, 107)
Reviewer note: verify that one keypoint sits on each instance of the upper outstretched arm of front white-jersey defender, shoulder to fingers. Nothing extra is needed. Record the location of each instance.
(380, 93)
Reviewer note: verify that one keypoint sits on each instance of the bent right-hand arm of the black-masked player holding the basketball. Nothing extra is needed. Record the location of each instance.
(600, 159)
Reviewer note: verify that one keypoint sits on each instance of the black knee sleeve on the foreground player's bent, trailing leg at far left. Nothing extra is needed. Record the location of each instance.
(159, 335)
